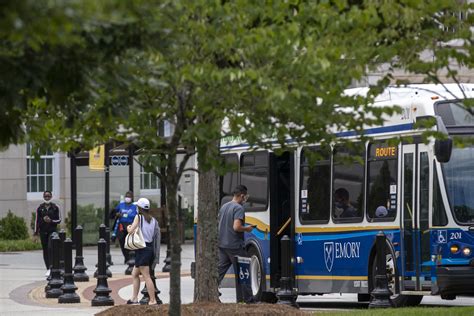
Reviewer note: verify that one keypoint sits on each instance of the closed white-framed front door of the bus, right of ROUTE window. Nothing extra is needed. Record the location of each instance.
(415, 218)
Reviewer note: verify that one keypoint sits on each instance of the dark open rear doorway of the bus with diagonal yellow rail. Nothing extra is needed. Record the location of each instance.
(281, 209)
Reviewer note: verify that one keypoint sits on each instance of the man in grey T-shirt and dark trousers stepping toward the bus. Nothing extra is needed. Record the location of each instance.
(231, 235)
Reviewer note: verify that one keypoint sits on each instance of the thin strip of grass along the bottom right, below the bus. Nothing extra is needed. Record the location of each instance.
(410, 311)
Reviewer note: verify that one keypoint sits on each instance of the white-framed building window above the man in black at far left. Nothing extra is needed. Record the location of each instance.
(39, 172)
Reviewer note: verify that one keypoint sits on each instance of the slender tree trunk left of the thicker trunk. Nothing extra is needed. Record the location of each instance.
(175, 238)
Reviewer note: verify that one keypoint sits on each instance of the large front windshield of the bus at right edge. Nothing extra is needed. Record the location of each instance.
(459, 180)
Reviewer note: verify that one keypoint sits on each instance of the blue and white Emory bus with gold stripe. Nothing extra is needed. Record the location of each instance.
(420, 195)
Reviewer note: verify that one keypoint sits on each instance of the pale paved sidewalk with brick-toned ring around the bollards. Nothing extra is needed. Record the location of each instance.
(23, 282)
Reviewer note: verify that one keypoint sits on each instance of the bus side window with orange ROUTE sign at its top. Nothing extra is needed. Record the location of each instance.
(382, 182)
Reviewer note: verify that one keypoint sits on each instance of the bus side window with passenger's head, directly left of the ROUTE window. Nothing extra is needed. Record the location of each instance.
(348, 184)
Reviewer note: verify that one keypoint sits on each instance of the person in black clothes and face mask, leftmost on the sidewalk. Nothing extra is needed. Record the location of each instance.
(47, 219)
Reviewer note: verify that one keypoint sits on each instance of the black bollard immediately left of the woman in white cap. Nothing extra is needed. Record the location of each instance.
(102, 290)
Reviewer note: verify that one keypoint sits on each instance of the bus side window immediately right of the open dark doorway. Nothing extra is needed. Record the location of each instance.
(315, 186)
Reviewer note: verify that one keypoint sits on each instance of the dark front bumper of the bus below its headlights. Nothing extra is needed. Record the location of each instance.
(455, 280)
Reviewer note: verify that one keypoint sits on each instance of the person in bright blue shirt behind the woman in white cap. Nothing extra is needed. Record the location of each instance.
(124, 213)
